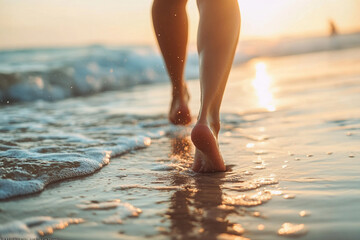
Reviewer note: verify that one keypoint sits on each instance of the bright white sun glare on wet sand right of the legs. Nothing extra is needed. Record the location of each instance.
(262, 86)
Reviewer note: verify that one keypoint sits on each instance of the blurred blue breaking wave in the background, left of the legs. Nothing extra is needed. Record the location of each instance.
(54, 74)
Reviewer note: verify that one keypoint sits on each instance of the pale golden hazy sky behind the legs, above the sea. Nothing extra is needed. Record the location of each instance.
(44, 23)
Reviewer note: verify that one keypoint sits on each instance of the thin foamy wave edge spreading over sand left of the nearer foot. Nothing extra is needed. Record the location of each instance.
(25, 171)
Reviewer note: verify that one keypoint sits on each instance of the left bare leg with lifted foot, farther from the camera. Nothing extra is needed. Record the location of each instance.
(171, 29)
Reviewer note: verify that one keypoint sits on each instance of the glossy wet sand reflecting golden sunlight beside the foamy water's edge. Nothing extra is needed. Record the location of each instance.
(290, 136)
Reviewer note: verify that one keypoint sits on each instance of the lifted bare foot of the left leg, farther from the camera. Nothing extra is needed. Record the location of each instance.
(179, 111)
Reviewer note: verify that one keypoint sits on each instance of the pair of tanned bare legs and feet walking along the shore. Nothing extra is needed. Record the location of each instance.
(218, 34)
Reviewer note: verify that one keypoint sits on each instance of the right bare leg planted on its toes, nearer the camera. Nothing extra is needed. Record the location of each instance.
(217, 39)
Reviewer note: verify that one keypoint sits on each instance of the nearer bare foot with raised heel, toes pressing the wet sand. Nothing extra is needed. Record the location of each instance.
(207, 155)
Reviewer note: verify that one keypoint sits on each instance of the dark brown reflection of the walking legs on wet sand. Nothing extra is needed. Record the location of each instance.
(197, 211)
